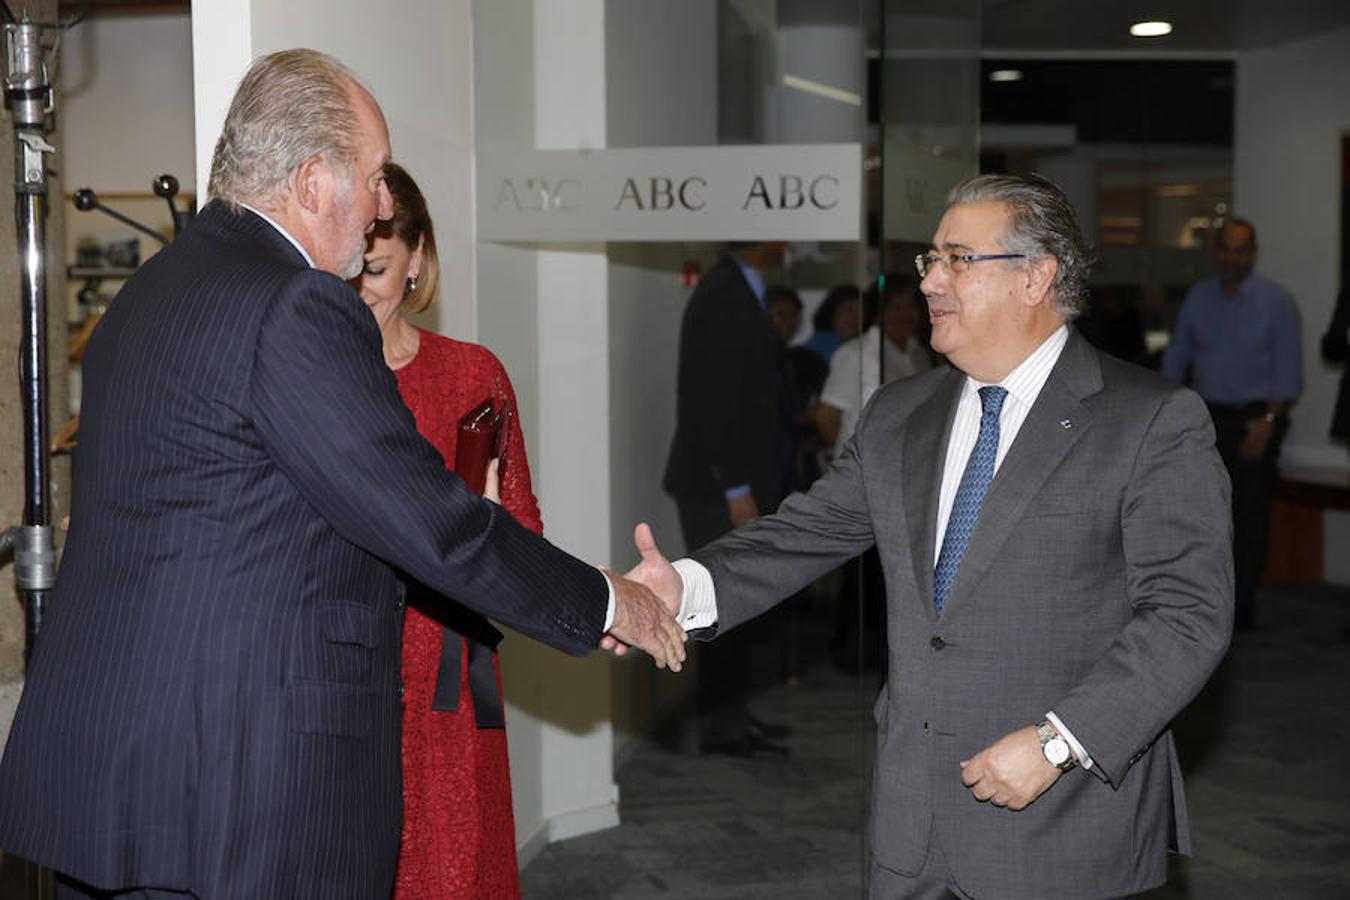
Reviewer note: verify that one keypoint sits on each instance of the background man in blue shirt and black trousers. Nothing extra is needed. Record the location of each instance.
(1237, 337)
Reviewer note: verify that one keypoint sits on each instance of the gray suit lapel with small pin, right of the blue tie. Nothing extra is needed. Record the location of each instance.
(1042, 445)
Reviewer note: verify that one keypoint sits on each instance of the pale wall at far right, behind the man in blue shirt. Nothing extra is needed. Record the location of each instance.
(1293, 113)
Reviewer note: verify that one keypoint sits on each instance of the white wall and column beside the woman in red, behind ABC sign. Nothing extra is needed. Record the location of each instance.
(541, 83)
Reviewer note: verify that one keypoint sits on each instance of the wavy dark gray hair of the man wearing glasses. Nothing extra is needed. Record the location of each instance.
(1043, 225)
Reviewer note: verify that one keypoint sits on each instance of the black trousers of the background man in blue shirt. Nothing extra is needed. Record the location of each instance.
(1253, 482)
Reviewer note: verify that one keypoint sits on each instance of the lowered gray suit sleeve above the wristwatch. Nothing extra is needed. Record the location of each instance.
(1177, 528)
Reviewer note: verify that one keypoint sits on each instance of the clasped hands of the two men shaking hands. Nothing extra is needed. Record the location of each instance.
(647, 598)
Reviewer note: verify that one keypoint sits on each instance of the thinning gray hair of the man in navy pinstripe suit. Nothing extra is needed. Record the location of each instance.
(290, 107)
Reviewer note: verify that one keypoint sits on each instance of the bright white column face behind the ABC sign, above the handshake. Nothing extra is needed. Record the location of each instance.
(574, 457)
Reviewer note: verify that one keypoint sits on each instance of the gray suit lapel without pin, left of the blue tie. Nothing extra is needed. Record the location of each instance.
(921, 478)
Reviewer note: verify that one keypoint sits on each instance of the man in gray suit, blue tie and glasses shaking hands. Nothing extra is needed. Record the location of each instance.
(1055, 535)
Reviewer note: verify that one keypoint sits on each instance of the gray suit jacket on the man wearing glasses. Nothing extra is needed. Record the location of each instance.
(1098, 584)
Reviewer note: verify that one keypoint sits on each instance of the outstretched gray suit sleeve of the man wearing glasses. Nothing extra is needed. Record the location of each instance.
(773, 558)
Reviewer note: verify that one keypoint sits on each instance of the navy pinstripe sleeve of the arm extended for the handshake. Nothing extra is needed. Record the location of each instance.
(329, 412)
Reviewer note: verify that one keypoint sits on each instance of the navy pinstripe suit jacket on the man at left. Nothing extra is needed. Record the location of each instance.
(214, 705)
